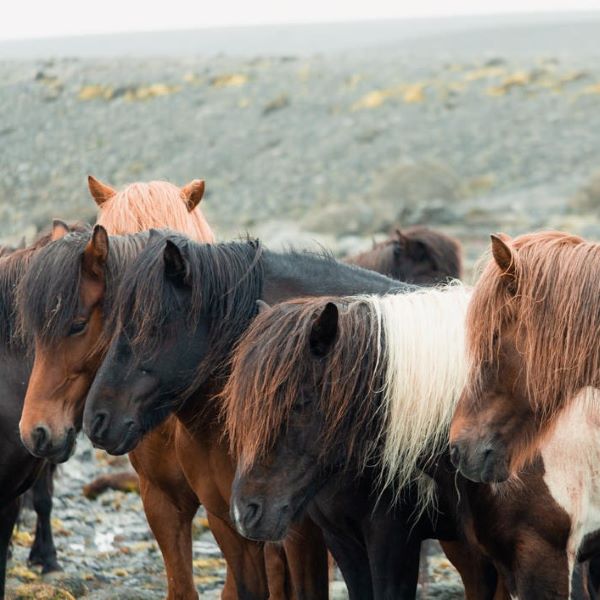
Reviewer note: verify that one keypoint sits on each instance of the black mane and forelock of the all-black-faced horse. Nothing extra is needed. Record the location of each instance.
(225, 280)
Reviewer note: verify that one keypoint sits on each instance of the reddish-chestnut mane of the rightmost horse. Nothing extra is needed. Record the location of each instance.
(555, 306)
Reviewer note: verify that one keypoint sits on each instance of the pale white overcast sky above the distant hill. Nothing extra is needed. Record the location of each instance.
(40, 18)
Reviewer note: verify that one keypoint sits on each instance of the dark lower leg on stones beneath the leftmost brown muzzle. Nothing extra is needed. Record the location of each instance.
(43, 551)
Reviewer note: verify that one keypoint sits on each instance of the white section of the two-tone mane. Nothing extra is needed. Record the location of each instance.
(423, 343)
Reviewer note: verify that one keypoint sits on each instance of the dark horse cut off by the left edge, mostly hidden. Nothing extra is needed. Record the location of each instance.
(20, 471)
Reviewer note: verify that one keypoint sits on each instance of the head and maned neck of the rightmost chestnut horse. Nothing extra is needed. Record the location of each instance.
(532, 335)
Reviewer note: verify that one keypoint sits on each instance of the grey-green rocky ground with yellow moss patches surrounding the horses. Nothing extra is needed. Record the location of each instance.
(329, 149)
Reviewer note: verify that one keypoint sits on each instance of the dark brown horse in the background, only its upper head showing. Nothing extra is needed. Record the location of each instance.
(416, 255)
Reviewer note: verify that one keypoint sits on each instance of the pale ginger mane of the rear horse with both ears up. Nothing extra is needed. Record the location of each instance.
(156, 204)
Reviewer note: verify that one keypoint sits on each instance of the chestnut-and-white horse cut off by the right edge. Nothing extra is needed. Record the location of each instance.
(532, 336)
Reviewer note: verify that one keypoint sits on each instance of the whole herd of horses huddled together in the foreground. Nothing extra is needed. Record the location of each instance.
(312, 406)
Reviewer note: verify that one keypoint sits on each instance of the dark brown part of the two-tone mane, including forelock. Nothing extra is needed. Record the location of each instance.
(256, 408)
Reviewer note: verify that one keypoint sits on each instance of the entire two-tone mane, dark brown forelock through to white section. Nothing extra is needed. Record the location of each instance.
(394, 375)
